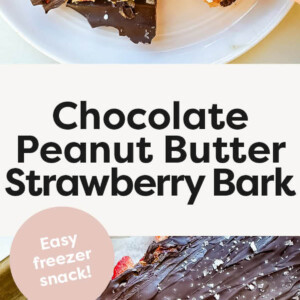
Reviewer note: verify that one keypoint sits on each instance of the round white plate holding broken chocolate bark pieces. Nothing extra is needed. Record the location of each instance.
(188, 32)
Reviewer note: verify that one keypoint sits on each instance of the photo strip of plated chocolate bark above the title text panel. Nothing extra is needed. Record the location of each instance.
(149, 31)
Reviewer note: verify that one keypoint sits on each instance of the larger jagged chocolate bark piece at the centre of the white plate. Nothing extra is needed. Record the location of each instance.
(134, 19)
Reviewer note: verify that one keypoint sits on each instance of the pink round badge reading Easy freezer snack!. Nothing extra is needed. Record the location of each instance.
(62, 253)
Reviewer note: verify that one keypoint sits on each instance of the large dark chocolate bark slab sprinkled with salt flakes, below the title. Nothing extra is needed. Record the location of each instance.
(213, 268)
